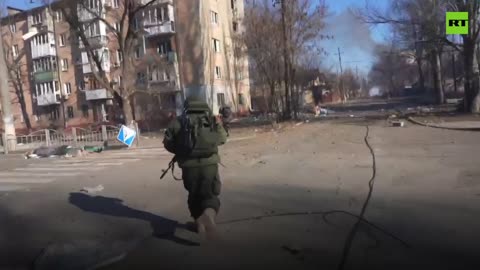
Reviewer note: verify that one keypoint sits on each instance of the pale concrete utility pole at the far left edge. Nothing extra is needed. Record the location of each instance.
(10, 138)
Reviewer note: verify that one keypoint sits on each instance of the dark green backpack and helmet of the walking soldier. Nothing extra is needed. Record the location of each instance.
(198, 136)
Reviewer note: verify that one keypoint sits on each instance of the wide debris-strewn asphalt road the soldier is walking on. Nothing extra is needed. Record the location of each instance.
(277, 188)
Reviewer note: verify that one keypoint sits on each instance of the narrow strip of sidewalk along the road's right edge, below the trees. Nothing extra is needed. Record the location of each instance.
(452, 123)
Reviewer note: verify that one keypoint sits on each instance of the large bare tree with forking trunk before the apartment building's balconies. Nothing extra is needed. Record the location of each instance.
(127, 33)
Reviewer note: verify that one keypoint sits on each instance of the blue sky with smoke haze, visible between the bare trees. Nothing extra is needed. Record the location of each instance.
(355, 40)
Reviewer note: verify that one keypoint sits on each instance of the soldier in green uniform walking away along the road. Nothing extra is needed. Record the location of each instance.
(194, 138)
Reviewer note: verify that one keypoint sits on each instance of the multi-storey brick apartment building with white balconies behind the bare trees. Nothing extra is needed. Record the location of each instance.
(187, 47)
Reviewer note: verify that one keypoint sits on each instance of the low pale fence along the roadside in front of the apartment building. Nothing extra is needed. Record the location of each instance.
(76, 137)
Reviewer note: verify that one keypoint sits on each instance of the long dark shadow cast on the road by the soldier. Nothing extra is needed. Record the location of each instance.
(163, 228)
